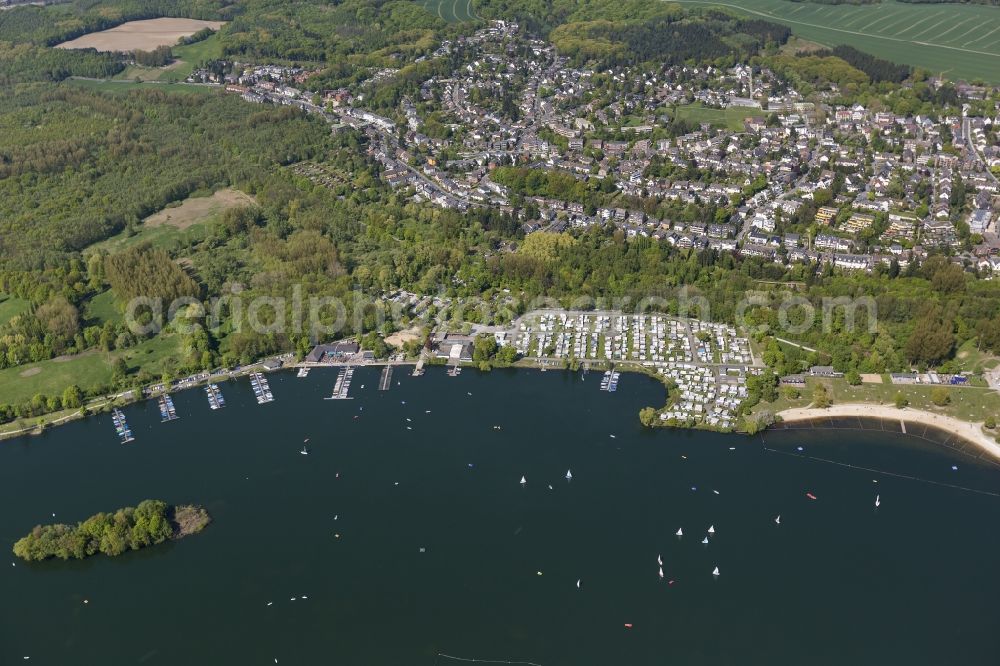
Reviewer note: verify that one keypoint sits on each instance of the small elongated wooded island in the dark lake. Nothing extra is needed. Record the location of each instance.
(131, 528)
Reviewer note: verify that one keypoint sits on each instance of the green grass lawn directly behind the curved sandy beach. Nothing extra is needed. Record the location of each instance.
(967, 403)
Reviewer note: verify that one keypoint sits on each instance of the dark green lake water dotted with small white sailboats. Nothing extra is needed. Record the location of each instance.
(838, 582)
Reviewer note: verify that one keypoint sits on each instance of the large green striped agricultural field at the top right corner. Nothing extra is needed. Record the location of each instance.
(961, 41)
